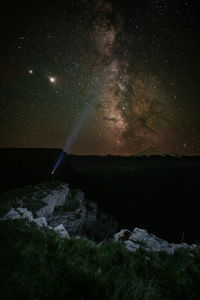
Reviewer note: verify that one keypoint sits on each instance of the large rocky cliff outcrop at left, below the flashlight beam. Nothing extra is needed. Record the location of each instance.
(64, 210)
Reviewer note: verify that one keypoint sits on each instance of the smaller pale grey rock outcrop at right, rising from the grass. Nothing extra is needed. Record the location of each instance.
(140, 238)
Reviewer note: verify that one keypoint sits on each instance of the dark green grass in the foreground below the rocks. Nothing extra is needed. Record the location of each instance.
(38, 264)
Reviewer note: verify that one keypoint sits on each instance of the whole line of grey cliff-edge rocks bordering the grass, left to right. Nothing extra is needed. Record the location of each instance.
(67, 212)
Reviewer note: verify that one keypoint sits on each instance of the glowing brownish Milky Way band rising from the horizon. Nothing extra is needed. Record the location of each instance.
(135, 111)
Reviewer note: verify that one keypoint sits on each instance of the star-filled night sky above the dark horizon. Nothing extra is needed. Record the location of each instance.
(100, 77)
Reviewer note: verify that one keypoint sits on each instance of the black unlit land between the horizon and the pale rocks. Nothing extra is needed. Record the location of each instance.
(160, 194)
